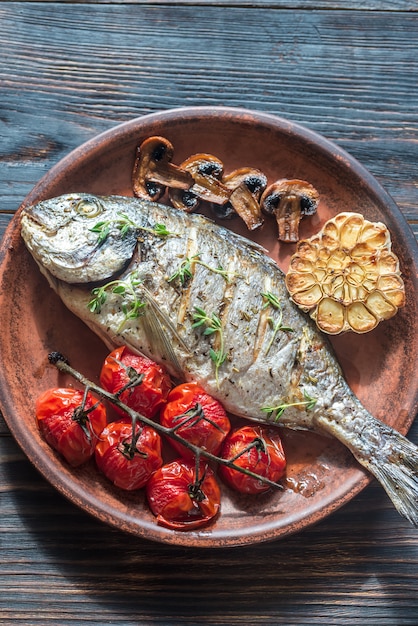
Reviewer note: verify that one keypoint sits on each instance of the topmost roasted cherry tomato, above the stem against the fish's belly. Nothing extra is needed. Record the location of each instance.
(145, 383)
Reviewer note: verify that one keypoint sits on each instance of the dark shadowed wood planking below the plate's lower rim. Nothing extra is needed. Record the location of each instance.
(59, 565)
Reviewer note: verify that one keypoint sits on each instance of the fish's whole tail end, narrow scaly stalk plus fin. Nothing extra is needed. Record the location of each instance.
(385, 453)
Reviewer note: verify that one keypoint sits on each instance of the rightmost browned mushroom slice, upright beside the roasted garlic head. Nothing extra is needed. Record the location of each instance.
(289, 201)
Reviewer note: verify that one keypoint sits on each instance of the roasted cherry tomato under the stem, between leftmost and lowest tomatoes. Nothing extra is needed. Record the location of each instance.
(127, 461)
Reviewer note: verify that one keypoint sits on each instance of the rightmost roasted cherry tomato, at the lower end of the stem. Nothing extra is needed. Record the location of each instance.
(256, 449)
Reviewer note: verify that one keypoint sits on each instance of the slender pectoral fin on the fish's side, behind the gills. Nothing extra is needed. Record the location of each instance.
(160, 331)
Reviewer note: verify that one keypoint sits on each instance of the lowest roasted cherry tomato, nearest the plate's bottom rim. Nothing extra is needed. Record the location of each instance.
(179, 499)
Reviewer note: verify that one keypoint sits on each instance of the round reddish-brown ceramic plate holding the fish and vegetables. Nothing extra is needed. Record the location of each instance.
(380, 366)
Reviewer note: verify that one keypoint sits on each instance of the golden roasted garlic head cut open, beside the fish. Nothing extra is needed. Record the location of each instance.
(347, 277)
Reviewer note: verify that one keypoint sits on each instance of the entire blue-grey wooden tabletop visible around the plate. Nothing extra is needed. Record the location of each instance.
(69, 70)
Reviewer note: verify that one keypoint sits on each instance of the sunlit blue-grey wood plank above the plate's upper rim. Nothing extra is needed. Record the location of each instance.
(67, 75)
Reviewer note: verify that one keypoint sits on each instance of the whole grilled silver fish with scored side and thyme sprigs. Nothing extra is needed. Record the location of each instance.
(212, 307)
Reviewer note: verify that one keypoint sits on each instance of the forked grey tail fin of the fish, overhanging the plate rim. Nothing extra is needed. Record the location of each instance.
(397, 472)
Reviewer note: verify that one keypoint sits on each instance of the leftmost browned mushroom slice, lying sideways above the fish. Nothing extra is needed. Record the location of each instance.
(153, 170)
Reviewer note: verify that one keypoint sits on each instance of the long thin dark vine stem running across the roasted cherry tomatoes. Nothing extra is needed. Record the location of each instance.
(62, 364)
